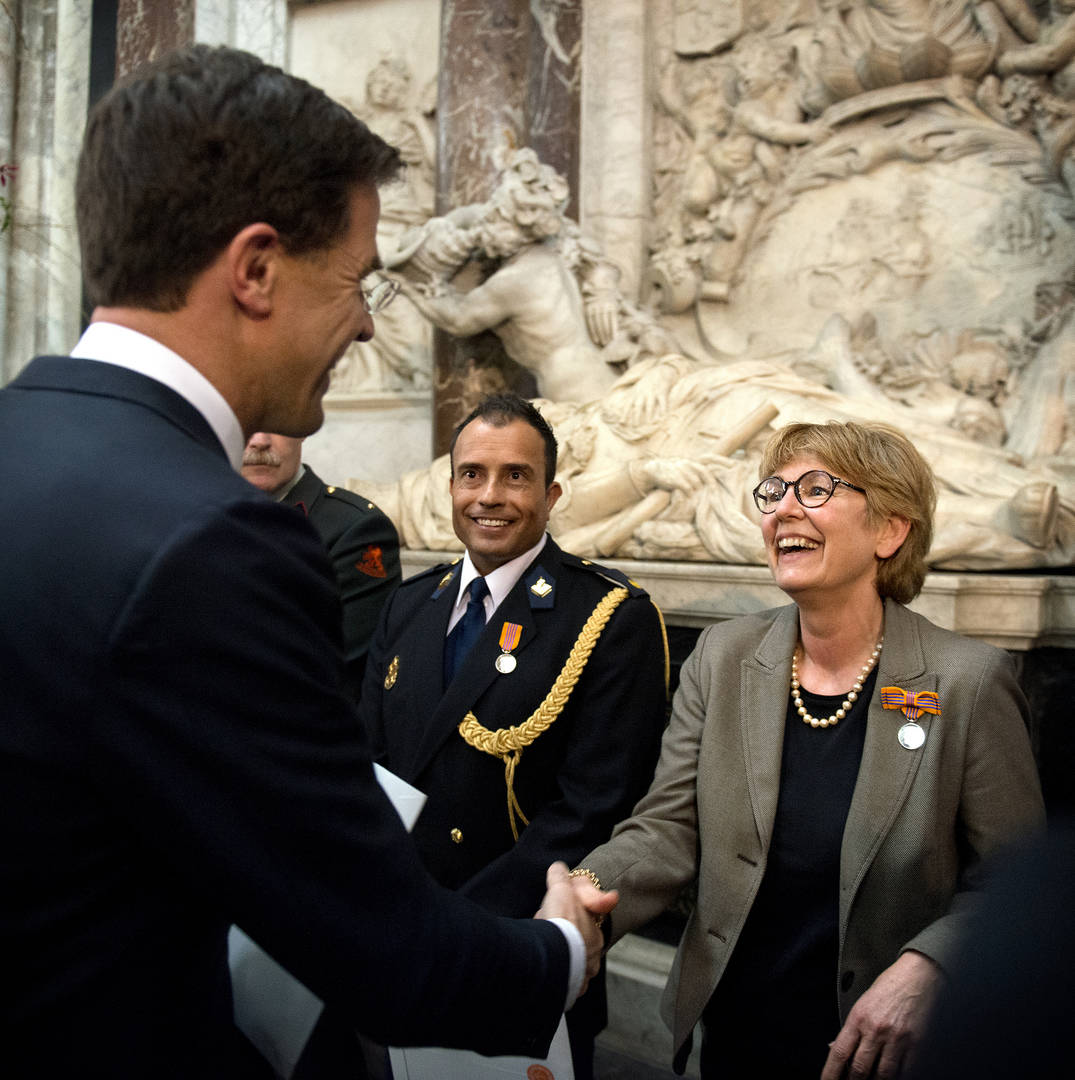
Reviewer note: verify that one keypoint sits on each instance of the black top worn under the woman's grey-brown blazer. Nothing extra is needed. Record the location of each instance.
(776, 1006)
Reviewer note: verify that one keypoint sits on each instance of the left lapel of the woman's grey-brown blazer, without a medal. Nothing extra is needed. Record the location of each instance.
(765, 687)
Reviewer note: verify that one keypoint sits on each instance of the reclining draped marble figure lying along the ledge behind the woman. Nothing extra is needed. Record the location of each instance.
(664, 465)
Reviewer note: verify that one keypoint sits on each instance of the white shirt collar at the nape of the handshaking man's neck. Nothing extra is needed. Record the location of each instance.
(111, 344)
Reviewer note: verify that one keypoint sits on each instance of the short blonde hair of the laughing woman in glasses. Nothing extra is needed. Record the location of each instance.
(897, 480)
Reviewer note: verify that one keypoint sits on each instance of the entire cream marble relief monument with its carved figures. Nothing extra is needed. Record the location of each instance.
(863, 209)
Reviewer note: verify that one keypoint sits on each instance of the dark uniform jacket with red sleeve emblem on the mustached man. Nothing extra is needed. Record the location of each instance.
(365, 549)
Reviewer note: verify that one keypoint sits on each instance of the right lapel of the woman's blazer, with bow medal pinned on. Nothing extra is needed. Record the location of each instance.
(888, 769)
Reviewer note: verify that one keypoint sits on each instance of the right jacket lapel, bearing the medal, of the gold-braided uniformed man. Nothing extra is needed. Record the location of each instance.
(479, 670)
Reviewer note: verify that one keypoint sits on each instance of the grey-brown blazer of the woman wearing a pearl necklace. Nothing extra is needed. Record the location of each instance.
(920, 825)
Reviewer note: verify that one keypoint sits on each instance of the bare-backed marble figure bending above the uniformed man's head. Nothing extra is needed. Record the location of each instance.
(517, 266)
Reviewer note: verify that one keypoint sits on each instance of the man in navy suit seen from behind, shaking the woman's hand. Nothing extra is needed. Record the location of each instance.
(178, 750)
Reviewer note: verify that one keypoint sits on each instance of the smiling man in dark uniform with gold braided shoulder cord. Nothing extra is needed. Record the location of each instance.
(543, 736)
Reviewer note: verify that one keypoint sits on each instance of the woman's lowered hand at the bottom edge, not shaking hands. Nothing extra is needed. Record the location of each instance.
(885, 1025)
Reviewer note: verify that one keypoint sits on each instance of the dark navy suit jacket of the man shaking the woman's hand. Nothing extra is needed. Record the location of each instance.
(178, 753)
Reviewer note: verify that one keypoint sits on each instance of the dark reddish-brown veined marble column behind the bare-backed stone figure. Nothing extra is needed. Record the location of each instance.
(509, 77)
